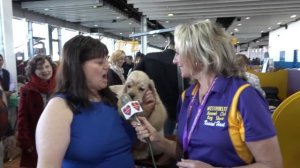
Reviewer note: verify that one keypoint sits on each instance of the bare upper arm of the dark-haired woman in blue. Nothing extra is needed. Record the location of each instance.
(53, 133)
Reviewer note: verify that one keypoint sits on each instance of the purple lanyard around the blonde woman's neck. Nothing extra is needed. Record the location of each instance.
(187, 134)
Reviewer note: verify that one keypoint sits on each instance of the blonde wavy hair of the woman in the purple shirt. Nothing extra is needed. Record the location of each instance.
(206, 46)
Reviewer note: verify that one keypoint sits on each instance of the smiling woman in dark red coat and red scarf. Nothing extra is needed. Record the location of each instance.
(34, 96)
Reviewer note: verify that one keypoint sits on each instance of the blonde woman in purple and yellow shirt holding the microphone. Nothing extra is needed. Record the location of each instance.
(222, 122)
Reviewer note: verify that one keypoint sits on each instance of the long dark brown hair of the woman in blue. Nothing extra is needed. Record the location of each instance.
(71, 78)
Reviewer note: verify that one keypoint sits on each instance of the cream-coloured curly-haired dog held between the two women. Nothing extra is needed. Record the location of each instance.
(136, 86)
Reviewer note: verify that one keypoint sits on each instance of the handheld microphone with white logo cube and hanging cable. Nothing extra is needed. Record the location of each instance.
(130, 110)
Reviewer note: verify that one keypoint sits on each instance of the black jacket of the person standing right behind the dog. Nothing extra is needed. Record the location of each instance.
(160, 68)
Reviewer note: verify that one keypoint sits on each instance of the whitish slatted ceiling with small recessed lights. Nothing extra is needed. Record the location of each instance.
(265, 15)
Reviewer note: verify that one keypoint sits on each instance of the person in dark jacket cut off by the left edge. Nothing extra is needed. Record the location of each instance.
(7, 81)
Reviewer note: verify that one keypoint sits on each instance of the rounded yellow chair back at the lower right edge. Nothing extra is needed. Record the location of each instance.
(286, 120)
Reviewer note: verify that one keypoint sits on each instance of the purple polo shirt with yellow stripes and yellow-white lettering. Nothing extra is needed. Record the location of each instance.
(219, 136)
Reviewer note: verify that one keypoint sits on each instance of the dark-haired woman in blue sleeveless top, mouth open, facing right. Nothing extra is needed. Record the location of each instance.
(80, 126)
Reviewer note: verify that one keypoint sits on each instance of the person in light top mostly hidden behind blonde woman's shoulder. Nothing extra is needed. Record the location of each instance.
(243, 62)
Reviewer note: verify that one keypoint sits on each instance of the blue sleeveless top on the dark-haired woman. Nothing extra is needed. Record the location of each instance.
(99, 139)
